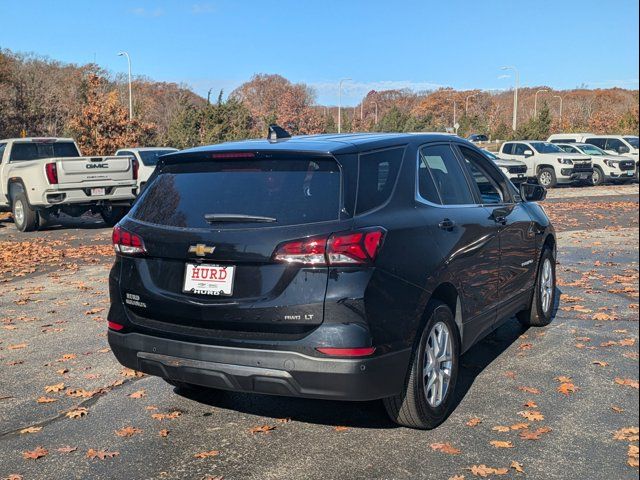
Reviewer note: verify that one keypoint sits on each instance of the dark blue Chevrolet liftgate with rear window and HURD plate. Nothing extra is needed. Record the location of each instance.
(210, 228)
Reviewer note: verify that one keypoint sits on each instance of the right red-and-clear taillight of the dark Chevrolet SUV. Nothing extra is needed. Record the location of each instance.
(350, 248)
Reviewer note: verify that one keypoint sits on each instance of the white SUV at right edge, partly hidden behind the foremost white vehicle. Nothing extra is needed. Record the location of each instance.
(606, 167)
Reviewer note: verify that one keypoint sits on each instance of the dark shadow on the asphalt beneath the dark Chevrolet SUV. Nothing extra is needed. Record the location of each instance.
(360, 414)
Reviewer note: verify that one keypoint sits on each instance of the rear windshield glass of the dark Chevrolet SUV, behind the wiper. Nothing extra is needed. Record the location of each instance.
(290, 191)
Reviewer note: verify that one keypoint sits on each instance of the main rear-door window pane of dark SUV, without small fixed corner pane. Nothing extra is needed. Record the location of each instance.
(447, 175)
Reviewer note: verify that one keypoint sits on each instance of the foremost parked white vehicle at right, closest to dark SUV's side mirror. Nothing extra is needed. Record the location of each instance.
(547, 163)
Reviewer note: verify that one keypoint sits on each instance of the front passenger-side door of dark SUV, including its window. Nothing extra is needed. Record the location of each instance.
(516, 233)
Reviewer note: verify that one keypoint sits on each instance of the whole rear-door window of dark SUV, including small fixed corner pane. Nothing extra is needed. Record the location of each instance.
(446, 183)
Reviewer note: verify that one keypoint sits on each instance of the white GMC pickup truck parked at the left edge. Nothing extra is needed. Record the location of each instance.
(40, 177)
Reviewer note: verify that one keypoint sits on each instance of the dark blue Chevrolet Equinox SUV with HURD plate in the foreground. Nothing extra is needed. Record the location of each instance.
(348, 267)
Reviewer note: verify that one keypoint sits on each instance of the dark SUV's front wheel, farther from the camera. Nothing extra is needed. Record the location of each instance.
(540, 312)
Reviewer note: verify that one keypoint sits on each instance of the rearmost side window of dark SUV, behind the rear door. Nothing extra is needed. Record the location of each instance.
(377, 177)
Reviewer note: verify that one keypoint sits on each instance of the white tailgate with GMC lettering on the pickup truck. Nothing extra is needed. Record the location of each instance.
(93, 169)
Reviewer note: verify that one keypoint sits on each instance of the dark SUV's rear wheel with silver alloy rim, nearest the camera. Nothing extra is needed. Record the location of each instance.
(428, 393)
